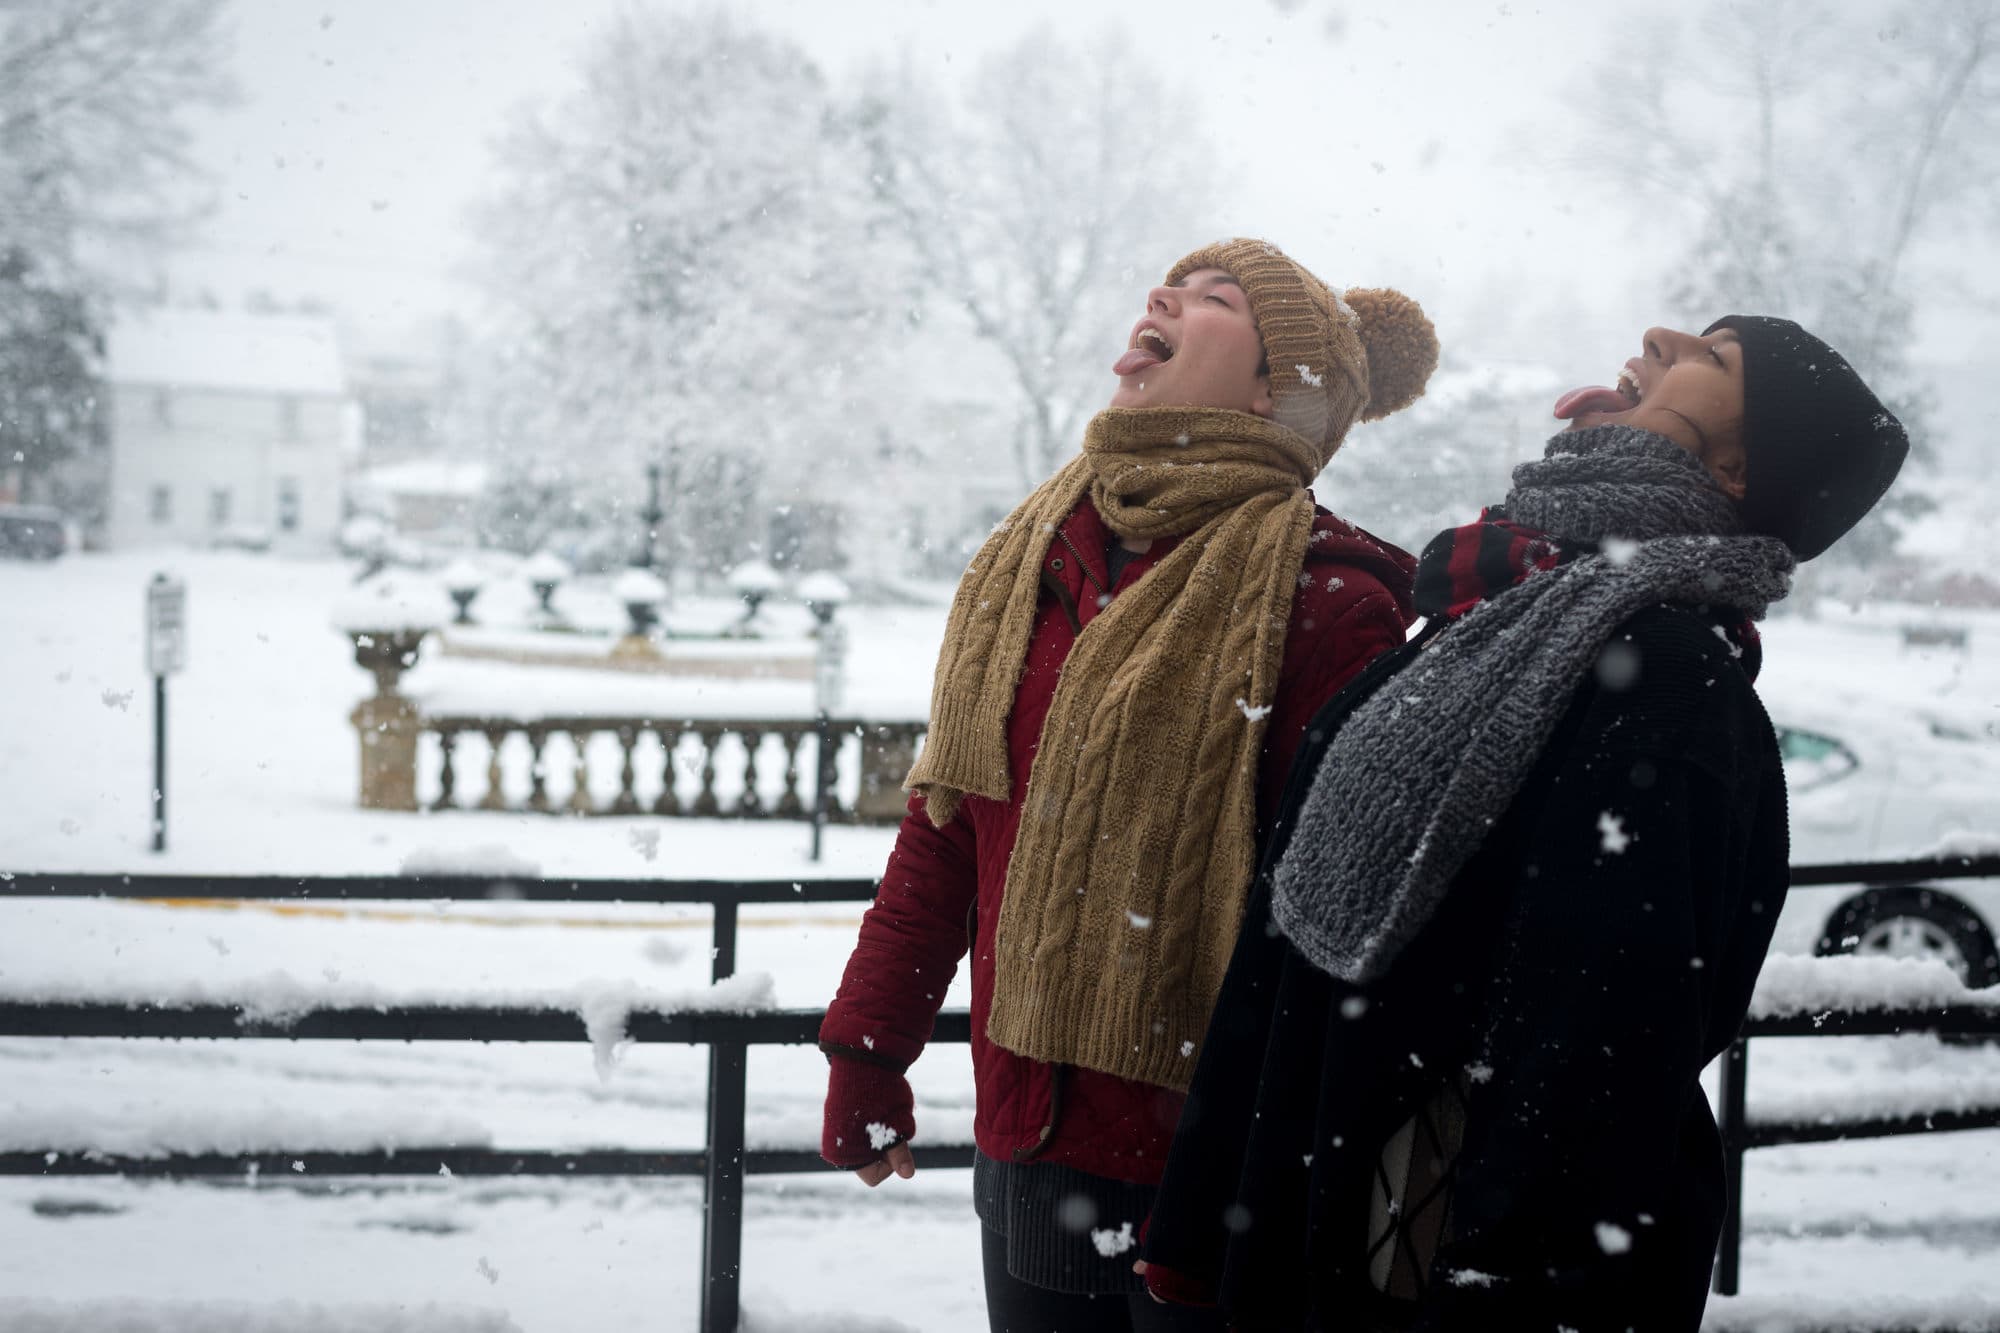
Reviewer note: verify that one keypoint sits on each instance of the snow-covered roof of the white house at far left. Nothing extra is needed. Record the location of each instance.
(225, 349)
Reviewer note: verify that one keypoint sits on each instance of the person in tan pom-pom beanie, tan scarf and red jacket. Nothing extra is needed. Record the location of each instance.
(1127, 672)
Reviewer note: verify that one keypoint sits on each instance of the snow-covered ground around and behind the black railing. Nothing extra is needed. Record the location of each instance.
(265, 780)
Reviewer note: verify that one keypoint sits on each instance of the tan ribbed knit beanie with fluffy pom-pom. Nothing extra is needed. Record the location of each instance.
(1335, 357)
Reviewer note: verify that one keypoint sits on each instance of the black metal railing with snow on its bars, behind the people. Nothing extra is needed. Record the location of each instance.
(725, 1160)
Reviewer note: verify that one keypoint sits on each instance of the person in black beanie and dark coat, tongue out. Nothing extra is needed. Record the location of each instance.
(1523, 882)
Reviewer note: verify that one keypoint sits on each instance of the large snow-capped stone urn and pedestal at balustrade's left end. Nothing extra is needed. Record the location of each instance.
(387, 621)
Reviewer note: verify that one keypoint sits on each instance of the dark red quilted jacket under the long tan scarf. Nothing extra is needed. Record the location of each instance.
(943, 888)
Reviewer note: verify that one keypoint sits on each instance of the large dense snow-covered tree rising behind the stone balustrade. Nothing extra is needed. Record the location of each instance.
(679, 261)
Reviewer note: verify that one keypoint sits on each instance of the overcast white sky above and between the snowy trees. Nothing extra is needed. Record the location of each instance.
(1387, 145)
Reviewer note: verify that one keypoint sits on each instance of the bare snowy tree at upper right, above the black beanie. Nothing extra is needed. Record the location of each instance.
(1811, 149)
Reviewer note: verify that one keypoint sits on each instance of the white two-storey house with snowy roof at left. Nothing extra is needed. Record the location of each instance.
(225, 427)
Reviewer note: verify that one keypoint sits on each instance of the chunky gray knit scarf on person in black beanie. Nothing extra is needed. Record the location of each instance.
(1425, 770)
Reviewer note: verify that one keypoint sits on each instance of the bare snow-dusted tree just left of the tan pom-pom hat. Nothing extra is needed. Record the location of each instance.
(1039, 205)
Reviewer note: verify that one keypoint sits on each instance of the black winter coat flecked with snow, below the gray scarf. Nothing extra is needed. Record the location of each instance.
(1569, 988)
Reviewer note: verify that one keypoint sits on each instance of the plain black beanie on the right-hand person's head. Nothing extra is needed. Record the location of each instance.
(1819, 447)
